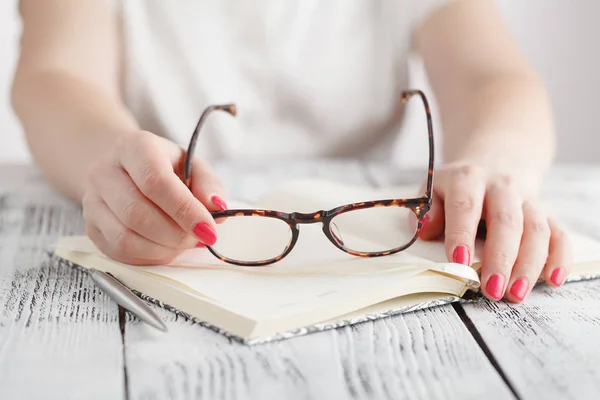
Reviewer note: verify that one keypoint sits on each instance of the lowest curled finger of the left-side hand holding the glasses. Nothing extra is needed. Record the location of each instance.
(120, 242)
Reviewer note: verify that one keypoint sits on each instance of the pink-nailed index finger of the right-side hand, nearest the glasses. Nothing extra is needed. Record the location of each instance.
(463, 203)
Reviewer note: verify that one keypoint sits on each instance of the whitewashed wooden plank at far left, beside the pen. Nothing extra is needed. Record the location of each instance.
(59, 336)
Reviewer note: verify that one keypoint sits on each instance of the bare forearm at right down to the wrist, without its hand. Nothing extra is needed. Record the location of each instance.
(493, 106)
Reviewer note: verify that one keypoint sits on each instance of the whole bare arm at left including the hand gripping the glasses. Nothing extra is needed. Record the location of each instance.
(66, 94)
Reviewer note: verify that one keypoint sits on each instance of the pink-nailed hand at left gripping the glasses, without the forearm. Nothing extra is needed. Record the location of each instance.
(136, 208)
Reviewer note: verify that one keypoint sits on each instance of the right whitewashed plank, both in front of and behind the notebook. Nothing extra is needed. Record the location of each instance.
(548, 346)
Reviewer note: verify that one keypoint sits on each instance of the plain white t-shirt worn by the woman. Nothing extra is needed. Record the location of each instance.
(309, 78)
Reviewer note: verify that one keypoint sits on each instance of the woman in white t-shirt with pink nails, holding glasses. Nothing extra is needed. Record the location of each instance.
(107, 92)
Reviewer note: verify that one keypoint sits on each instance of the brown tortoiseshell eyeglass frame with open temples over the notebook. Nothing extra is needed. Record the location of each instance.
(419, 206)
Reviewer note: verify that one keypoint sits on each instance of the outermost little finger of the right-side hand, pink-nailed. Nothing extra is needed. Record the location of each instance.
(532, 253)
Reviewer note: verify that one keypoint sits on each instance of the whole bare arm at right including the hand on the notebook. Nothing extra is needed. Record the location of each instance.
(499, 142)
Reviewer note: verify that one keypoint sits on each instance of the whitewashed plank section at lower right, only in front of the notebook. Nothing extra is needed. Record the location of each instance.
(548, 346)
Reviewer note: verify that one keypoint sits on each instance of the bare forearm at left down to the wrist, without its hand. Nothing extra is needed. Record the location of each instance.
(65, 90)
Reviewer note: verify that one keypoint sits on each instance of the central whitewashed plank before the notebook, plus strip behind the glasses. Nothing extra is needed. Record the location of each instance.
(424, 355)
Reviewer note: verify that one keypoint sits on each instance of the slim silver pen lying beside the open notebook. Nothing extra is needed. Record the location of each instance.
(123, 296)
